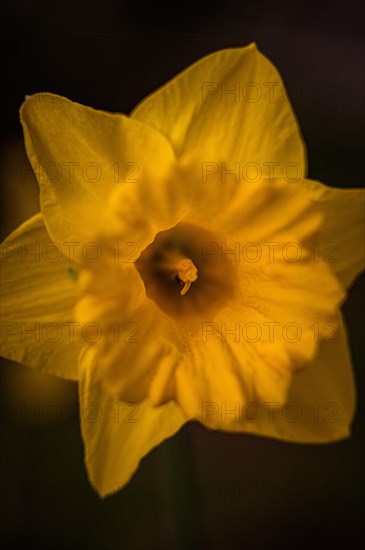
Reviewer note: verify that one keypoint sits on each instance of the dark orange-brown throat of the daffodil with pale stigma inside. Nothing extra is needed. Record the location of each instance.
(177, 258)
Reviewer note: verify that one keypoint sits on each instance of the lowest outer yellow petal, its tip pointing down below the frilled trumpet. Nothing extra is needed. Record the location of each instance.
(117, 435)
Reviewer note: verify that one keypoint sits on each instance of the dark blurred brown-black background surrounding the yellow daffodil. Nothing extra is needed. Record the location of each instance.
(201, 489)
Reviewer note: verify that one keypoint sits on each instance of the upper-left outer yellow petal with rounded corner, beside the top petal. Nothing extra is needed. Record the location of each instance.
(79, 156)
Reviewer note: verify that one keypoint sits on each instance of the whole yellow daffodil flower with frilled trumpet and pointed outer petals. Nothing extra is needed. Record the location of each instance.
(183, 267)
